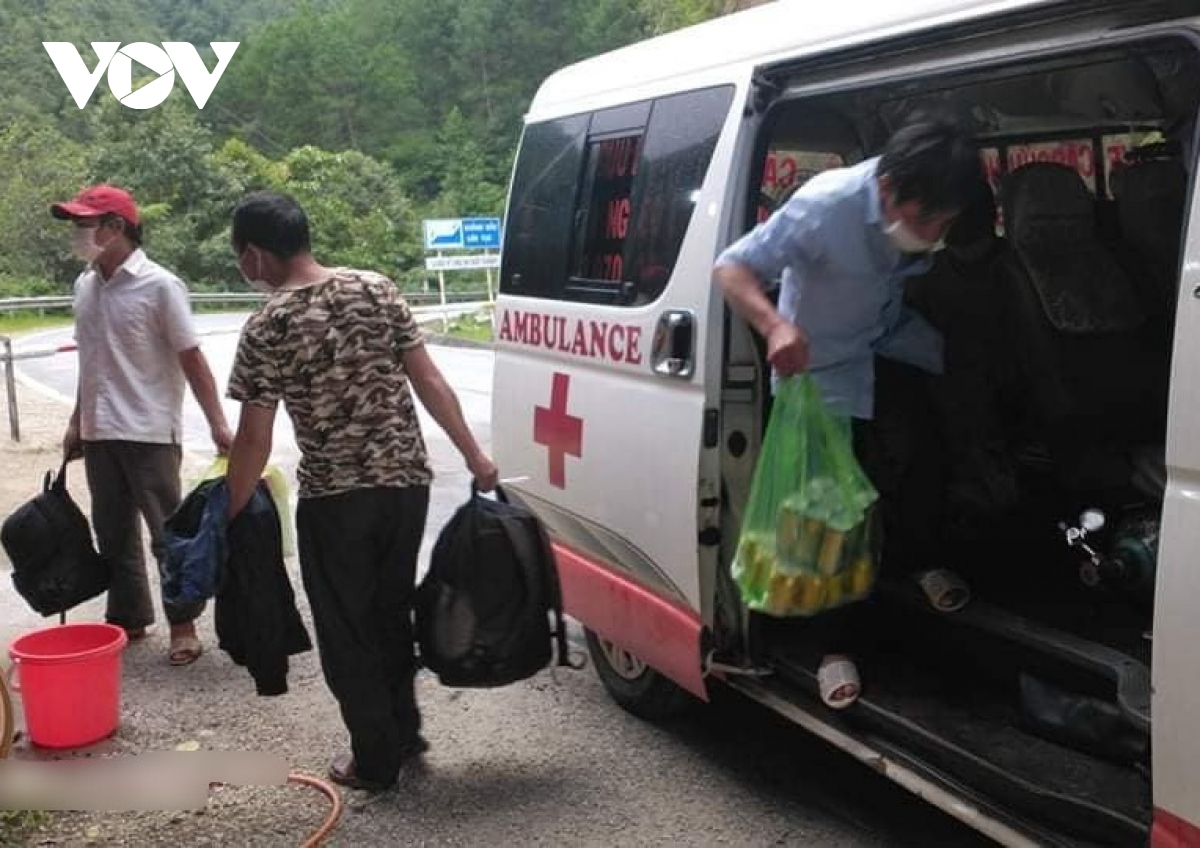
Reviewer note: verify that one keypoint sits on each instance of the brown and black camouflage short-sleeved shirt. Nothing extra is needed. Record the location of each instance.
(333, 354)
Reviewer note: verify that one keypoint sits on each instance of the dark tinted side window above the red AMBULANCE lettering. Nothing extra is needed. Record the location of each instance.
(602, 203)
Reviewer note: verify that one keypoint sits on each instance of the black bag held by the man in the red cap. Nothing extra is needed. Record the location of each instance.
(55, 562)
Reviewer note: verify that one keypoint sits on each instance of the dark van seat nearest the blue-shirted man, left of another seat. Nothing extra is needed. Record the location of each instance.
(1089, 356)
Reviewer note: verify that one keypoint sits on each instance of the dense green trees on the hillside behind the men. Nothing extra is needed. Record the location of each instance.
(373, 115)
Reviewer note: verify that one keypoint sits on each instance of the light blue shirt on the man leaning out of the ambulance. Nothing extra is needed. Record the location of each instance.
(843, 284)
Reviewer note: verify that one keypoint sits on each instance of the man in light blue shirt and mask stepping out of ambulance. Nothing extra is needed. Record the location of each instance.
(843, 245)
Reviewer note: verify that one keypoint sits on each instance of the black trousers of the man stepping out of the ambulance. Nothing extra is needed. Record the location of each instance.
(902, 453)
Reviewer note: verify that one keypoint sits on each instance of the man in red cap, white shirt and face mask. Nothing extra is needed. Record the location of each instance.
(137, 348)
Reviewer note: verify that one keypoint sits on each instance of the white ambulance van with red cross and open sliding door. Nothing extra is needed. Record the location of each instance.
(1063, 706)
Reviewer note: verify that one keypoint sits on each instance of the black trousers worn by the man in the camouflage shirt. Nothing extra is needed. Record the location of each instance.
(358, 562)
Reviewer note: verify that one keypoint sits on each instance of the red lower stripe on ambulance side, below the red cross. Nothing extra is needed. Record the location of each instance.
(616, 608)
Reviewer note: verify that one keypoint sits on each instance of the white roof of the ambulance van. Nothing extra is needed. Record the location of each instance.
(764, 34)
